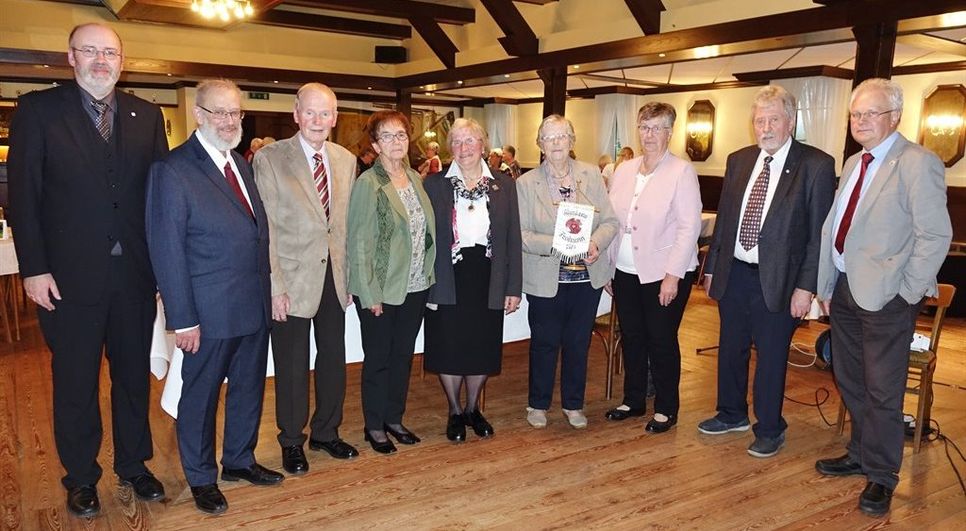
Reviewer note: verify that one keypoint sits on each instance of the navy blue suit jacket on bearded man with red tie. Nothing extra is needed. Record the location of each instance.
(209, 255)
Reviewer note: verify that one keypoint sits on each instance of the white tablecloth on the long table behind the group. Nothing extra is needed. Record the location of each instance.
(166, 358)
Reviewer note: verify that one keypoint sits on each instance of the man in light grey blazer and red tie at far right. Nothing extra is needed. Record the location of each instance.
(882, 245)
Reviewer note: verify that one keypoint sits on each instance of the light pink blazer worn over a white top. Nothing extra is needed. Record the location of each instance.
(666, 220)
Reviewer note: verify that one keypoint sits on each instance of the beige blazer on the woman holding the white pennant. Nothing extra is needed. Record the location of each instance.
(538, 215)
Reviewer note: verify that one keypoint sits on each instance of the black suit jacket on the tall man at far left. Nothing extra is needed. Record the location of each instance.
(71, 203)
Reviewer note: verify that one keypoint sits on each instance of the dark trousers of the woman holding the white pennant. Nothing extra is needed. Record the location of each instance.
(562, 326)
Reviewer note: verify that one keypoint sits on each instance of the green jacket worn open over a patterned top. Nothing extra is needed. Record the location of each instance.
(379, 241)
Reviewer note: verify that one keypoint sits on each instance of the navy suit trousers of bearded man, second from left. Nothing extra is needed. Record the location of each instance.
(242, 360)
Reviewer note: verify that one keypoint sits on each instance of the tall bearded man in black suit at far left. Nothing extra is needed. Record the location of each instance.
(79, 159)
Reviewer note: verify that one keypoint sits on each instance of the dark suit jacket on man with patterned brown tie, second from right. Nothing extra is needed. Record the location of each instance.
(790, 237)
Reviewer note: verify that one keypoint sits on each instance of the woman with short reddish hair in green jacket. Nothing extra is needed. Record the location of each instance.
(391, 257)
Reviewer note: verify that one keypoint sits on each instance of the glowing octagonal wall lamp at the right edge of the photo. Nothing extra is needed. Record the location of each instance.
(942, 129)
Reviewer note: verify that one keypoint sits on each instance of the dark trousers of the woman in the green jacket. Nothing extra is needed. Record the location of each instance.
(388, 342)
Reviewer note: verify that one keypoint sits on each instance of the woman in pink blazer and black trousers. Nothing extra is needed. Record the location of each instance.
(657, 200)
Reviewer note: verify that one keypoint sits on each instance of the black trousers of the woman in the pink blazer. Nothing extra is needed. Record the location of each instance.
(649, 340)
